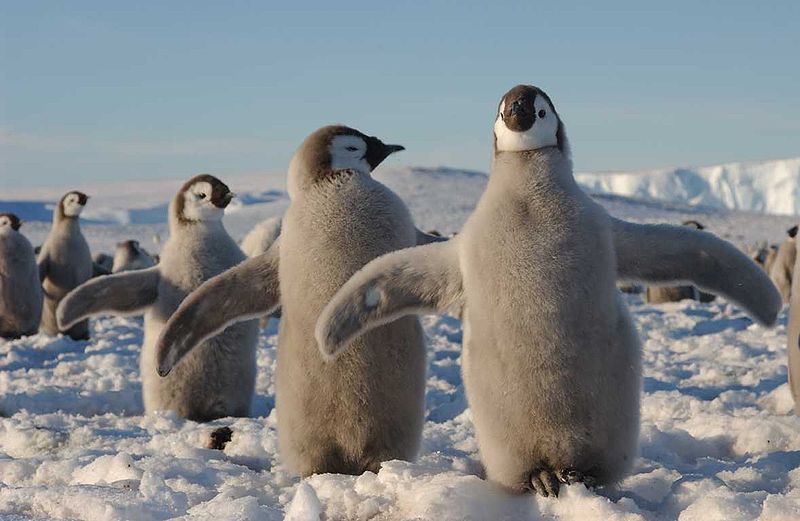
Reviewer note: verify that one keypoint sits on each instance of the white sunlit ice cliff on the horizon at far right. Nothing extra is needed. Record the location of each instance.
(771, 187)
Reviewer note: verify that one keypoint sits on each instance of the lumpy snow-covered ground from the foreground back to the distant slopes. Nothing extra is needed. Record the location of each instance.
(719, 440)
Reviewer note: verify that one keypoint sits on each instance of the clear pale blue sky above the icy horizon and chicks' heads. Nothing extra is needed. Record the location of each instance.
(125, 90)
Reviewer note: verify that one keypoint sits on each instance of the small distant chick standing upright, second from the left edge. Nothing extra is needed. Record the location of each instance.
(65, 263)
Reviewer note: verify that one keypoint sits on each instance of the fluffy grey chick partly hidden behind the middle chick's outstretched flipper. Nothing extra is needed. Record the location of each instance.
(218, 378)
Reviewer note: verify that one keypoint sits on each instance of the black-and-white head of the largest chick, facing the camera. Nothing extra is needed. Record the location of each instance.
(527, 120)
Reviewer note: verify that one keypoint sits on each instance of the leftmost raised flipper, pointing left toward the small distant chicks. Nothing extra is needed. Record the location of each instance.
(123, 293)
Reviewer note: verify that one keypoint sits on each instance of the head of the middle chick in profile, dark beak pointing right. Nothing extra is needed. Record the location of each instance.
(333, 149)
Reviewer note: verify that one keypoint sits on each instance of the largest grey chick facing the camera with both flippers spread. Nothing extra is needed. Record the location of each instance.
(551, 360)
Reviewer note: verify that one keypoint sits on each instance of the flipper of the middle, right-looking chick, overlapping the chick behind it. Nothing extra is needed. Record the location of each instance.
(249, 290)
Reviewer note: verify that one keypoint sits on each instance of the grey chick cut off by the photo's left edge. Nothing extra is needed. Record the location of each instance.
(20, 289)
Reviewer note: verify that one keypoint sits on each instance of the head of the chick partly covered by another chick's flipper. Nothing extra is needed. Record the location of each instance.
(201, 198)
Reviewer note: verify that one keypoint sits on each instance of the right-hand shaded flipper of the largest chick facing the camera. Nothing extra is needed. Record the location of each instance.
(664, 254)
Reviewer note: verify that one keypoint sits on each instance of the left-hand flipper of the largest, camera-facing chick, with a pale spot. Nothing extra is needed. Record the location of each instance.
(414, 280)
